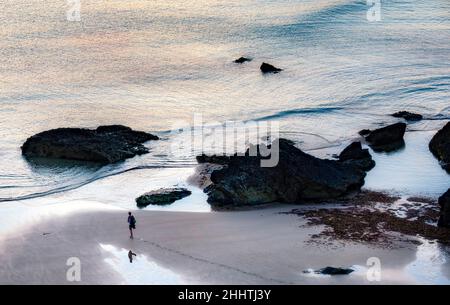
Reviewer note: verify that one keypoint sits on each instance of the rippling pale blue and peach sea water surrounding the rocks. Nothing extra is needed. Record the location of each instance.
(150, 64)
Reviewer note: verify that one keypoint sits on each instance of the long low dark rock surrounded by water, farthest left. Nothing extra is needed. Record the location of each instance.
(106, 144)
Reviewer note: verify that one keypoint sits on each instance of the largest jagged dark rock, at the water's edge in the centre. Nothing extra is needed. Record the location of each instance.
(297, 177)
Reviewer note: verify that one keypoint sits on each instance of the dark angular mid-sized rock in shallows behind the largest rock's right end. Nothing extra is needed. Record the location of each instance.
(388, 138)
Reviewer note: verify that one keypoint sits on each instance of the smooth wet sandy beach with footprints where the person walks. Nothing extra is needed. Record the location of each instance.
(241, 247)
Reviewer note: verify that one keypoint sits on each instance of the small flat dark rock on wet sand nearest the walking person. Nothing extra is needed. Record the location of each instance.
(162, 197)
